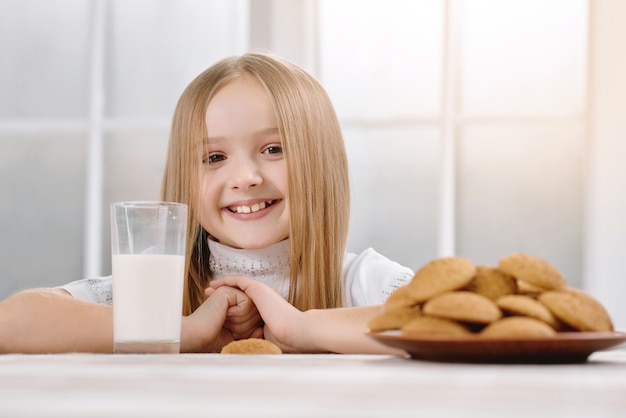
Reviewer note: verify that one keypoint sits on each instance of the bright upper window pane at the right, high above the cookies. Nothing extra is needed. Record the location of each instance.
(524, 57)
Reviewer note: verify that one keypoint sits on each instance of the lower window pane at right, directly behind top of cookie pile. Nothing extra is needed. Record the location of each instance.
(520, 189)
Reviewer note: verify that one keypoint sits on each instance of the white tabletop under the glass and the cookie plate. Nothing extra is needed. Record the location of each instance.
(297, 385)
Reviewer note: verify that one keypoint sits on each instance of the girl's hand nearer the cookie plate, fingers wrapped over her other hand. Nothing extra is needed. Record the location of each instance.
(284, 324)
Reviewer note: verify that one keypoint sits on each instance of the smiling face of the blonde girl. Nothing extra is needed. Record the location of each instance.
(243, 180)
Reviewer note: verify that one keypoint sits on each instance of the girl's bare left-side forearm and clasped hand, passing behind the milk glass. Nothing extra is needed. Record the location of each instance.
(52, 321)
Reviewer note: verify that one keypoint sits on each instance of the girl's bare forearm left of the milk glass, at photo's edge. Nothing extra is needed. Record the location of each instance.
(52, 321)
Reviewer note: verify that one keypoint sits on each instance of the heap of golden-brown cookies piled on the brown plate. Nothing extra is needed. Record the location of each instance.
(524, 296)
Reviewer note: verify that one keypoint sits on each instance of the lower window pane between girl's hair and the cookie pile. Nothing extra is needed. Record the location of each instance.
(394, 181)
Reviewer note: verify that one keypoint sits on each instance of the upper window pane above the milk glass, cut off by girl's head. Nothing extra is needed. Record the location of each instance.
(158, 47)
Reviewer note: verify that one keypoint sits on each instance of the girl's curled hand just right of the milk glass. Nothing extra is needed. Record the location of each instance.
(207, 328)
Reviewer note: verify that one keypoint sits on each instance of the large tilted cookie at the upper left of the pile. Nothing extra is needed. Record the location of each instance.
(440, 275)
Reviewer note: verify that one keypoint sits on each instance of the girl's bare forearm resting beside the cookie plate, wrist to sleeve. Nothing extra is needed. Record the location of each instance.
(342, 330)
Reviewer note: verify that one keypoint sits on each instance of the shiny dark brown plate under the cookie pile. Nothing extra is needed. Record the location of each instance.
(566, 347)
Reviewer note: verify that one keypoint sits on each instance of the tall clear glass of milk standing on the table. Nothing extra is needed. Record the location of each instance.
(148, 261)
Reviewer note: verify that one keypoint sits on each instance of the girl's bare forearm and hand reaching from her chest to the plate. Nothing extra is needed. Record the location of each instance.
(341, 330)
